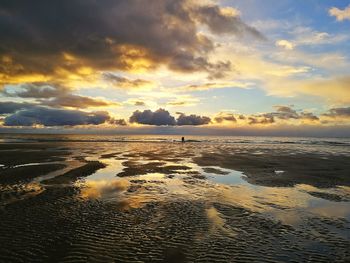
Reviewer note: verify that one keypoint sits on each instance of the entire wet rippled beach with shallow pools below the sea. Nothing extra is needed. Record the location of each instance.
(173, 202)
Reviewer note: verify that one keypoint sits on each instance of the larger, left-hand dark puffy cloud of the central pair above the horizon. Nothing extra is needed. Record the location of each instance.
(158, 118)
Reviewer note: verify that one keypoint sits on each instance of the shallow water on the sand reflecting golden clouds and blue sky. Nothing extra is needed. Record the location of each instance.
(291, 205)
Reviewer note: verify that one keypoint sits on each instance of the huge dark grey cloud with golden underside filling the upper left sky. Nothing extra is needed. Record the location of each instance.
(109, 34)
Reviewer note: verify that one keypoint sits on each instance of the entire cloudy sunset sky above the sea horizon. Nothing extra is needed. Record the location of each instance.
(274, 67)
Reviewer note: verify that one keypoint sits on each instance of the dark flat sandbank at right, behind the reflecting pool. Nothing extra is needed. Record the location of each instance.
(284, 170)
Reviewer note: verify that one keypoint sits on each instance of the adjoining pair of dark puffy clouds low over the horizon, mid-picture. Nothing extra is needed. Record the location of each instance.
(163, 117)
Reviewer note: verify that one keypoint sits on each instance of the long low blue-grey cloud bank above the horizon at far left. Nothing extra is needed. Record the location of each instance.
(55, 117)
